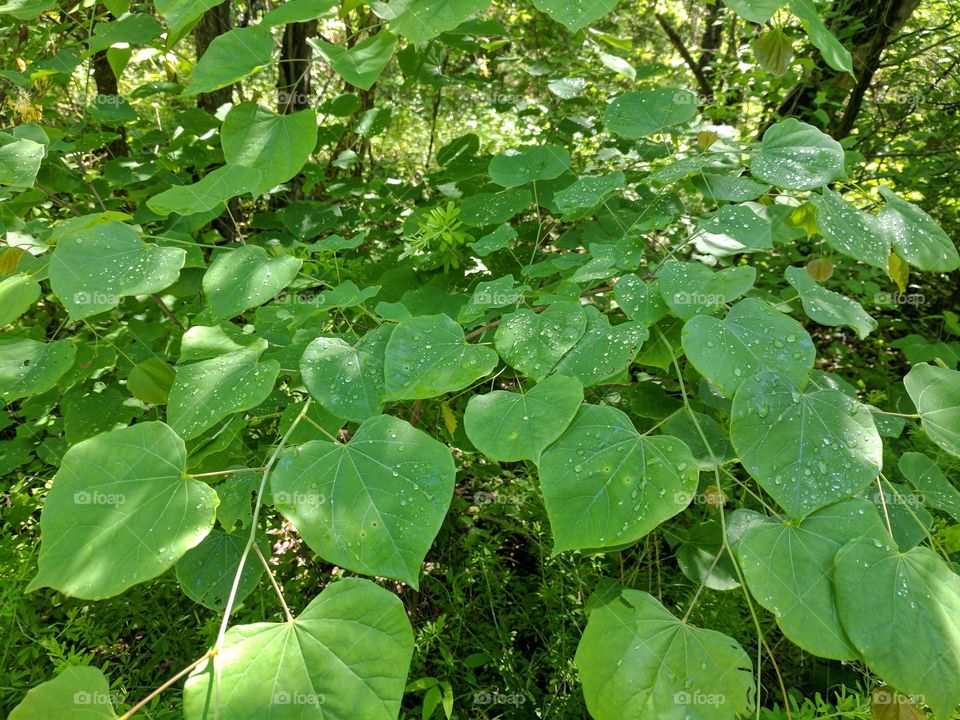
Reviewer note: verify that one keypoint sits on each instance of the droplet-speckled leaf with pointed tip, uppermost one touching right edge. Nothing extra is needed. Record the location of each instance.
(916, 237)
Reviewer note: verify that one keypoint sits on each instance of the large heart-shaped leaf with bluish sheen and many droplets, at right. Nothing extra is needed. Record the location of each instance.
(807, 448)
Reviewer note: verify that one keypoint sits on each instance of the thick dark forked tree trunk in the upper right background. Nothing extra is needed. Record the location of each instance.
(868, 26)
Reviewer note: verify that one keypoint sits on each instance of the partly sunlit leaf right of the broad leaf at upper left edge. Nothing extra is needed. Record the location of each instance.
(244, 277)
